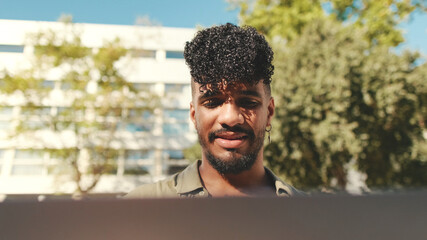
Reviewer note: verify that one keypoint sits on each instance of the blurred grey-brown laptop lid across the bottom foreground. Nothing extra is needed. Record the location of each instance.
(391, 216)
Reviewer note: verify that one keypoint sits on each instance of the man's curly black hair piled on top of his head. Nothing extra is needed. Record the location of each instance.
(231, 53)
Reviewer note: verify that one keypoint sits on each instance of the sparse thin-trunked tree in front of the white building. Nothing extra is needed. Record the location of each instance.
(95, 105)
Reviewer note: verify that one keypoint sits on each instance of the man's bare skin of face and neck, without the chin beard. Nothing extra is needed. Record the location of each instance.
(244, 106)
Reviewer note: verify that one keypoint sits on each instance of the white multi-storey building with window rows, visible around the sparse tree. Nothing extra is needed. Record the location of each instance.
(157, 148)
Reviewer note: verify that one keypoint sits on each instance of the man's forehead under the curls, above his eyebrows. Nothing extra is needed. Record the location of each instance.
(232, 89)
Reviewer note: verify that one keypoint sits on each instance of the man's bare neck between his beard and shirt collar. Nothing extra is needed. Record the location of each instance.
(252, 182)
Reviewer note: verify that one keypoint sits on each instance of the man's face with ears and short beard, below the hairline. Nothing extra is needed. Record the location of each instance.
(230, 121)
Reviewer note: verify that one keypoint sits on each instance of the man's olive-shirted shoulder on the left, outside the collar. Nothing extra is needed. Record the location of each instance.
(163, 188)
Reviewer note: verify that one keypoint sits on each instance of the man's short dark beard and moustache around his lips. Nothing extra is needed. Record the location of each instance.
(238, 162)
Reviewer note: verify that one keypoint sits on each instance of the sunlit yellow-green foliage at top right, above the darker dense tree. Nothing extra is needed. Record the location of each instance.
(287, 18)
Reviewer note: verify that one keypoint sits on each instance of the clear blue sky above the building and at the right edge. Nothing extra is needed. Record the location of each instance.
(168, 13)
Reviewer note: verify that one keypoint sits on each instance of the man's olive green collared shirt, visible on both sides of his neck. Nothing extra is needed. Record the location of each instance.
(188, 184)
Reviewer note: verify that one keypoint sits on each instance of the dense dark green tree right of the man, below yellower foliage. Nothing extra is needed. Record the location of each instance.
(338, 102)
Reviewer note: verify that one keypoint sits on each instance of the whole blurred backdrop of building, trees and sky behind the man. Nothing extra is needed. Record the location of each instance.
(94, 95)
